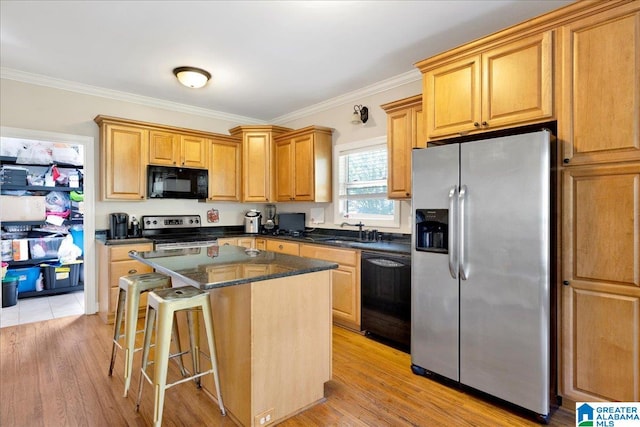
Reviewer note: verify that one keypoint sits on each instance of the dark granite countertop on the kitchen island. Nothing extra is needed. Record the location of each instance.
(200, 267)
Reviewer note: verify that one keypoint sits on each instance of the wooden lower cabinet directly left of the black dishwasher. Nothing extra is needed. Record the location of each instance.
(345, 282)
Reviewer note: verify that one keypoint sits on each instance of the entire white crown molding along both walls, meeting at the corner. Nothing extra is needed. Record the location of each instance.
(40, 80)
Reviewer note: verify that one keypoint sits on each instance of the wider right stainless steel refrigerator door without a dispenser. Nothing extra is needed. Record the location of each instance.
(504, 301)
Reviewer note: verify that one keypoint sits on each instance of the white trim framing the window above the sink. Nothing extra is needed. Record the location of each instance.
(351, 146)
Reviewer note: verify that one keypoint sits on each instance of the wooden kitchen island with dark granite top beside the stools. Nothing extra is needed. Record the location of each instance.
(272, 325)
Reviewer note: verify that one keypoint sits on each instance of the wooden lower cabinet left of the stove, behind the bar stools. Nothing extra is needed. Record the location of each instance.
(114, 262)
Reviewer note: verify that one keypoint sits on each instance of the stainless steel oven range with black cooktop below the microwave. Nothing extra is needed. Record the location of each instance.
(177, 232)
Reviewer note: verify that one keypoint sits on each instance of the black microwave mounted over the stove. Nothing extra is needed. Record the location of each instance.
(165, 182)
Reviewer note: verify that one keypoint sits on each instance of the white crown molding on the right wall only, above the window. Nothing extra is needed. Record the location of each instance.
(350, 97)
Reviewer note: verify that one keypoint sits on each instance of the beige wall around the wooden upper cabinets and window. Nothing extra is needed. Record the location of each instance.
(41, 108)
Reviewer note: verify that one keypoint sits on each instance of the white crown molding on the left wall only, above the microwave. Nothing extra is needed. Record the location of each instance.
(40, 80)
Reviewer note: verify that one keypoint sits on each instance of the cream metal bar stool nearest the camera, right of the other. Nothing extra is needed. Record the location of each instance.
(164, 304)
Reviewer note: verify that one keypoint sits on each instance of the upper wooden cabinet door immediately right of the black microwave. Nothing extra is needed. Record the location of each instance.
(225, 171)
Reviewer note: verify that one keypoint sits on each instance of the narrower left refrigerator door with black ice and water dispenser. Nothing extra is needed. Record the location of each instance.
(434, 305)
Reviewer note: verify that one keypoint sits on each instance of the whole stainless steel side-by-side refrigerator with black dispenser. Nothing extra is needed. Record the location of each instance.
(481, 266)
